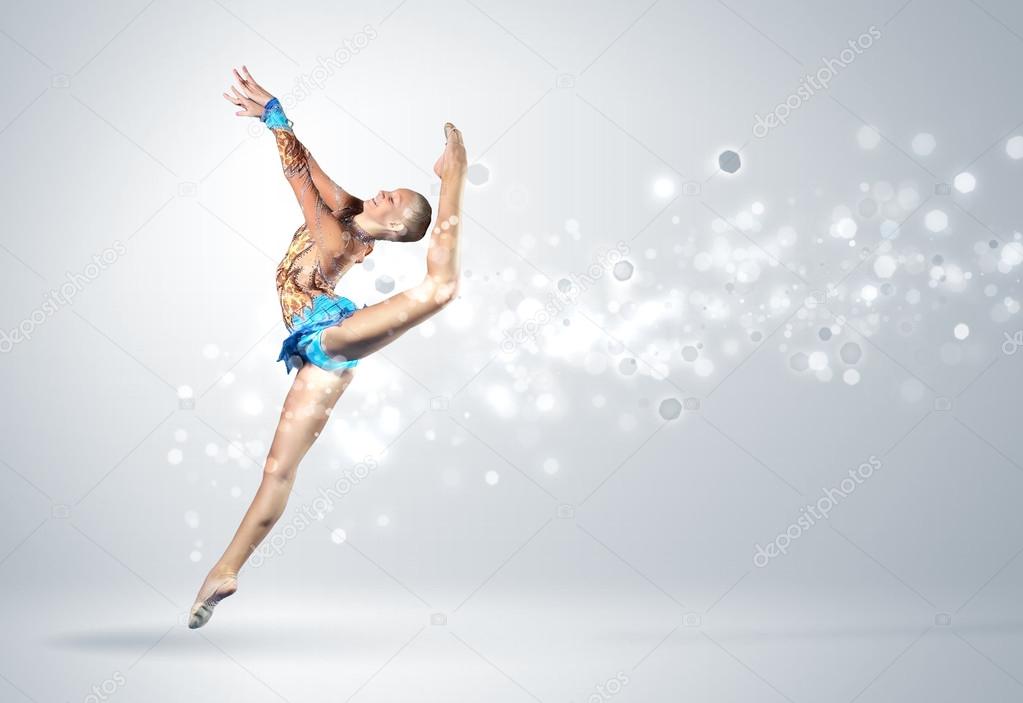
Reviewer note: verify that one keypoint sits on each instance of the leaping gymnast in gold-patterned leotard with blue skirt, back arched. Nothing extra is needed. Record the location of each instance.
(329, 334)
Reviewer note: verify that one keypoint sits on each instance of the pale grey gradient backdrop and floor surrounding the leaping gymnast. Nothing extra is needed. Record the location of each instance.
(116, 497)
